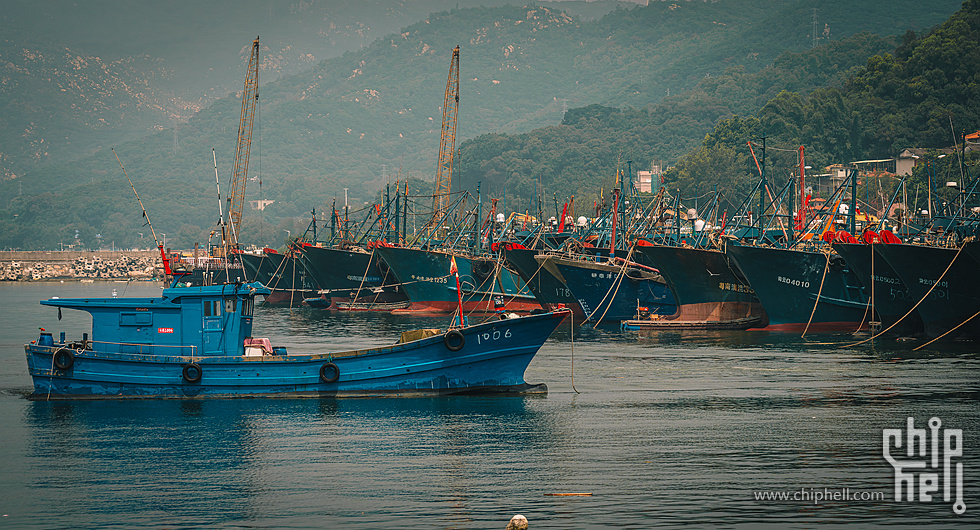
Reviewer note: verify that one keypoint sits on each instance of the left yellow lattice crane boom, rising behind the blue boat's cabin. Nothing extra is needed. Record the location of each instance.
(250, 98)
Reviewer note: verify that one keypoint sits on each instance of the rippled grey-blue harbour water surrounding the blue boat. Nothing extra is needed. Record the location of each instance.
(664, 430)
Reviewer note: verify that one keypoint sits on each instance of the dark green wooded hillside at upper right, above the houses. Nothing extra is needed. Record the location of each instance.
(925, 93)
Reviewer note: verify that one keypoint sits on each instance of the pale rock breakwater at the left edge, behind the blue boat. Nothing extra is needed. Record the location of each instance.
(73, 264)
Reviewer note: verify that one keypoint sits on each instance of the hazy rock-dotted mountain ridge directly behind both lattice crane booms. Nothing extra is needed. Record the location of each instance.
(333, 126)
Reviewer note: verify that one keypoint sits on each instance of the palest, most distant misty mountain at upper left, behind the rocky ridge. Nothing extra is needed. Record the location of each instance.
(77, 76)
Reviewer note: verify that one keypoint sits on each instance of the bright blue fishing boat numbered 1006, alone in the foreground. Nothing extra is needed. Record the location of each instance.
(197, 342)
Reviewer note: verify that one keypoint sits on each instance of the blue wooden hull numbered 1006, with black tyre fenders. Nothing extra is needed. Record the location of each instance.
(493, 358)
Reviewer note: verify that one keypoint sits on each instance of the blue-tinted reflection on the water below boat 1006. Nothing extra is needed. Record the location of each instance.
(193, 463)
